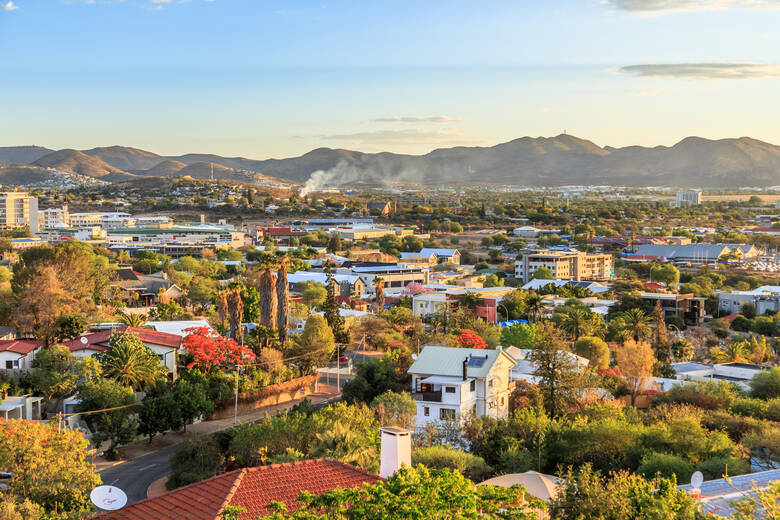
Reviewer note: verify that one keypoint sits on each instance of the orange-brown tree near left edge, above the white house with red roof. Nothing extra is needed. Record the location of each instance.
(40, 304)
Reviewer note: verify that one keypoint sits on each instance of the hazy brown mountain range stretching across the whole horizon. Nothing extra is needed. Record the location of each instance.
(541, 161)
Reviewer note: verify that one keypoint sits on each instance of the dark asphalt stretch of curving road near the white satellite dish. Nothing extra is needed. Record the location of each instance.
(135, 476)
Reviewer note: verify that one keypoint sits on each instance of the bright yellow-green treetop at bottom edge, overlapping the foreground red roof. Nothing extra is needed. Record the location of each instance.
(413, 493)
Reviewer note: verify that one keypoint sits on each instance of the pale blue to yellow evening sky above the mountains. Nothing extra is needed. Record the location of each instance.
(267, 78)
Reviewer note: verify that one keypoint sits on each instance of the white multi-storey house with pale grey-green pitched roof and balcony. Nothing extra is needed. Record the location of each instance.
(451, 383)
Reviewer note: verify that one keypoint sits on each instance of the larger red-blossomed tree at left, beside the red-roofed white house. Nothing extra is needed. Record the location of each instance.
(211, 350)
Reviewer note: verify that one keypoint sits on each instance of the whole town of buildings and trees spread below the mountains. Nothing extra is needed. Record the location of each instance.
(230, 337)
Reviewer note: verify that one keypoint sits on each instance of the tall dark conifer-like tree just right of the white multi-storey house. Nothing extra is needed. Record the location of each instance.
(556, 370)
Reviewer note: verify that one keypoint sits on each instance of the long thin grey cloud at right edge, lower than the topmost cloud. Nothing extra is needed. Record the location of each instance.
(704, 71)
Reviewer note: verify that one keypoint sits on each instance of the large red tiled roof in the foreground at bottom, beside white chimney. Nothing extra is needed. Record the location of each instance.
(250, 488)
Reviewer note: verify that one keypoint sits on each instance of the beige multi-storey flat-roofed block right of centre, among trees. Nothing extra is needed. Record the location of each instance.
(566, 265)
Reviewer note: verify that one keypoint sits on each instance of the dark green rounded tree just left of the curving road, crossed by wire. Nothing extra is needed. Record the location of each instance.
(114, 425)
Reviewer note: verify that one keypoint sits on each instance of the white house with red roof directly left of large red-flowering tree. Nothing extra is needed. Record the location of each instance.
(164, 345)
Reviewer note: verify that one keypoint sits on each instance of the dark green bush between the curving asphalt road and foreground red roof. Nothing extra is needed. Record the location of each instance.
(195, 460)
